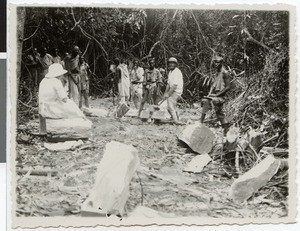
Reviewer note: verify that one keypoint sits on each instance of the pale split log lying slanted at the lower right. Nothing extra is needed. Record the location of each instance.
(249, 183)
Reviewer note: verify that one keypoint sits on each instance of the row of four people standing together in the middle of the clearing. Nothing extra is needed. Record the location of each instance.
(145, 86)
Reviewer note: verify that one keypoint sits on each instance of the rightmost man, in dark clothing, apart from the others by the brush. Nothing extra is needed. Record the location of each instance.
(217, 94)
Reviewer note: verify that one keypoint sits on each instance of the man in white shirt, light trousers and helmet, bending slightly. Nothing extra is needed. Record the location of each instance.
(174, 88)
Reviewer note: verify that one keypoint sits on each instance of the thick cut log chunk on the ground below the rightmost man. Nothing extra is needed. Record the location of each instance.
(198, 137)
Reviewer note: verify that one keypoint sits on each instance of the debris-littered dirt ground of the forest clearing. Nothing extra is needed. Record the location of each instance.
(159, 184)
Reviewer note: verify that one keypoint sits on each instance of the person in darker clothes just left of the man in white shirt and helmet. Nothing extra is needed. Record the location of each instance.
(152, 81)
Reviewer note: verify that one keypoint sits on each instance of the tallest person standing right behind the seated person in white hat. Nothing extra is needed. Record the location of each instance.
(73, 67)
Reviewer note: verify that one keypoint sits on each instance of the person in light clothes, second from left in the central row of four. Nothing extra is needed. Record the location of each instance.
(137, 78)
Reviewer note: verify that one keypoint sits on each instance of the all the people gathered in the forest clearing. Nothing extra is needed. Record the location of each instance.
(64, 82)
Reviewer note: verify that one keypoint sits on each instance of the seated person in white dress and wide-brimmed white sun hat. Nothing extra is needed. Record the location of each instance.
(53, 99)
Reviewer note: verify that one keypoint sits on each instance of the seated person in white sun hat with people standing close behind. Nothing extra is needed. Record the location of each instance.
(63, 84)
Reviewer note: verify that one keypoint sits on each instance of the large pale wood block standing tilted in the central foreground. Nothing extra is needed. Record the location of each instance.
(114, 174)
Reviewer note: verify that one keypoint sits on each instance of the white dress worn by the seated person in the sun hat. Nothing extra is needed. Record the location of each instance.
(51, 105)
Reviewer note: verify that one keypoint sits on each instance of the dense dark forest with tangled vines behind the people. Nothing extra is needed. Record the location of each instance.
(254, 44)
